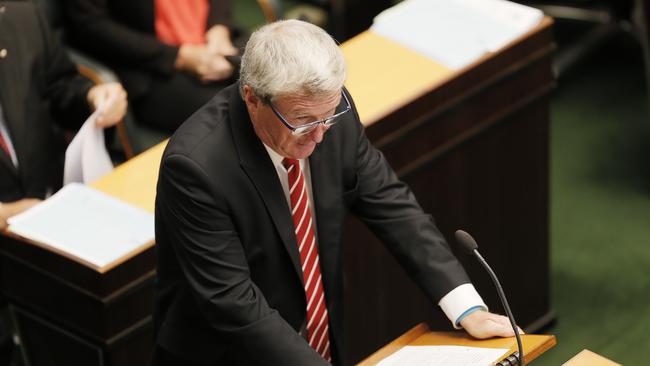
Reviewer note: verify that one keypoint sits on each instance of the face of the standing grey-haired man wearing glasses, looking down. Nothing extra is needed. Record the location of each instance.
(297, 110)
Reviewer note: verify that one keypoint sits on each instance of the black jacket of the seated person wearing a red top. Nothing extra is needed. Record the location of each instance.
(122, 34)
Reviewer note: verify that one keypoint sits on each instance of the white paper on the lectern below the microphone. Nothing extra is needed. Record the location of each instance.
(444, 356)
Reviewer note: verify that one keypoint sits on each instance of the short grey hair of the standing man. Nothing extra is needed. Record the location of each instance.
(292, 57)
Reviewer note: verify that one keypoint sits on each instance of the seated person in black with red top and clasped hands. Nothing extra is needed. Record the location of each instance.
(169, 54)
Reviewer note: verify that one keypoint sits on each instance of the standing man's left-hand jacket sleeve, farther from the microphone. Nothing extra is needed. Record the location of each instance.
(211, 257)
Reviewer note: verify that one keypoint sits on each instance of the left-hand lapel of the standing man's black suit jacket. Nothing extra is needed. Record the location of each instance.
(257, 164)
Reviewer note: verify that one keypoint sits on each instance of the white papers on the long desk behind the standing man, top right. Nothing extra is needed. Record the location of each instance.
(455, 33)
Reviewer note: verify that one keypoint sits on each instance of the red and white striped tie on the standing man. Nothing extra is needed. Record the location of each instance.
(317, 319)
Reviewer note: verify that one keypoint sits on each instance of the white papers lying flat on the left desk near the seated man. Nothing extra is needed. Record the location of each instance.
(86, 224)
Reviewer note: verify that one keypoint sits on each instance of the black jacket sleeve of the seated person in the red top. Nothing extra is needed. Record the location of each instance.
(94, 30)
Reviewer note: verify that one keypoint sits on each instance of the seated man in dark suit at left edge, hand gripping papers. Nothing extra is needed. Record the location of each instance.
(38, 87)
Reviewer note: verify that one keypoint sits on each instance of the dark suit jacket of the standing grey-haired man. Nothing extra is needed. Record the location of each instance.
(229, 279)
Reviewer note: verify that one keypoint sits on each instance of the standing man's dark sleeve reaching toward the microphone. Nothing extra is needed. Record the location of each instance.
(389, 208)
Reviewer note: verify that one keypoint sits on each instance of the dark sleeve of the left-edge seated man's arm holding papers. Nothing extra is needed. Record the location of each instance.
(63, 86)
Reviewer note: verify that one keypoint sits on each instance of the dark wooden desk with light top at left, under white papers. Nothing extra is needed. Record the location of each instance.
(70, 313)
